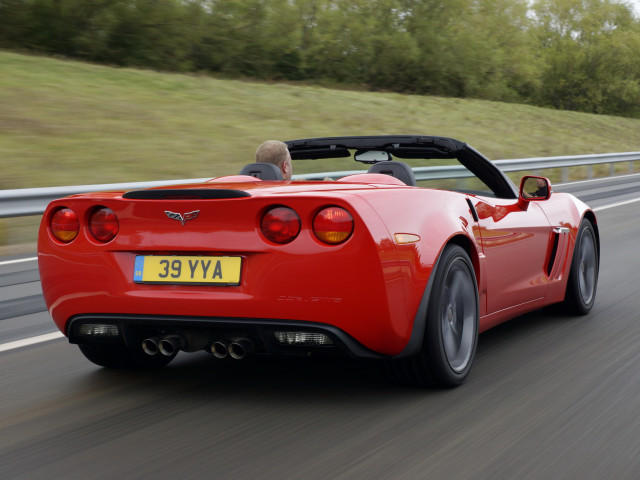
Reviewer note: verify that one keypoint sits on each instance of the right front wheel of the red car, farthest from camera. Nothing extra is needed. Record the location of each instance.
(583, 275)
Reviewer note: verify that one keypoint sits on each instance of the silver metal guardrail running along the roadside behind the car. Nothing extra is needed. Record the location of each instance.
(33, 201)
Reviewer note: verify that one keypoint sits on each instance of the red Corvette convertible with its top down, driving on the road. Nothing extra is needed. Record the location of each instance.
(370, 264)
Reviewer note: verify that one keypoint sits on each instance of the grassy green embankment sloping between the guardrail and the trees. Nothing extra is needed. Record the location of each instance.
(70, 123)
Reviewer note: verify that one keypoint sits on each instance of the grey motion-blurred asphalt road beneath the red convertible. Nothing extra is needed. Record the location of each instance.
(549, 397)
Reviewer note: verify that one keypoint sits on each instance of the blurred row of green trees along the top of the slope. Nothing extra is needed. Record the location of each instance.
(569, 54)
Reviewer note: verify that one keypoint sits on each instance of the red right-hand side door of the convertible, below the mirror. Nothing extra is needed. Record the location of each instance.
(515, 241)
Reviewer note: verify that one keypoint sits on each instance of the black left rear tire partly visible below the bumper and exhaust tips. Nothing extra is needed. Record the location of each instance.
(118, 356)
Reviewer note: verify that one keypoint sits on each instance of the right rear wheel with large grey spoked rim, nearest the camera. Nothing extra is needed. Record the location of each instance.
(451, 331)
